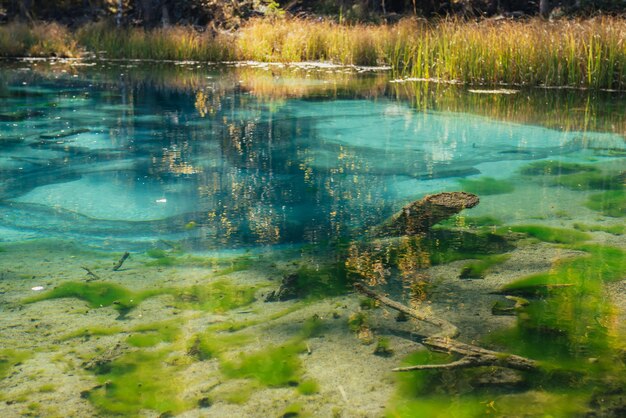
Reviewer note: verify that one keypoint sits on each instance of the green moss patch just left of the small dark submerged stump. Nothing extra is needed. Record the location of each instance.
(220, 296)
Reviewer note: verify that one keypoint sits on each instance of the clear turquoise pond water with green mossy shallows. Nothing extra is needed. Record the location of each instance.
(218, 179)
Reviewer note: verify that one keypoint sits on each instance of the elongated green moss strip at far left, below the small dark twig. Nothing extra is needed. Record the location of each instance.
(97, 295)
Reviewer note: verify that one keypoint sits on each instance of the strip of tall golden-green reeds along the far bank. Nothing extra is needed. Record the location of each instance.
(577, 53)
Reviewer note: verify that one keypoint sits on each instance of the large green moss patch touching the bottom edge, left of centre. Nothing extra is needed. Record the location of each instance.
(139, 380)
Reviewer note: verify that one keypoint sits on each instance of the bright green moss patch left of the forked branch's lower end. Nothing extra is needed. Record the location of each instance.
(273, 366)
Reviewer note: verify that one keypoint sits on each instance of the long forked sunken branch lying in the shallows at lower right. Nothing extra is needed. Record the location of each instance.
(443, 342)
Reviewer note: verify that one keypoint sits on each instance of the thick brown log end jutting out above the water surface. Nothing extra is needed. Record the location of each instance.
(421, 215)
